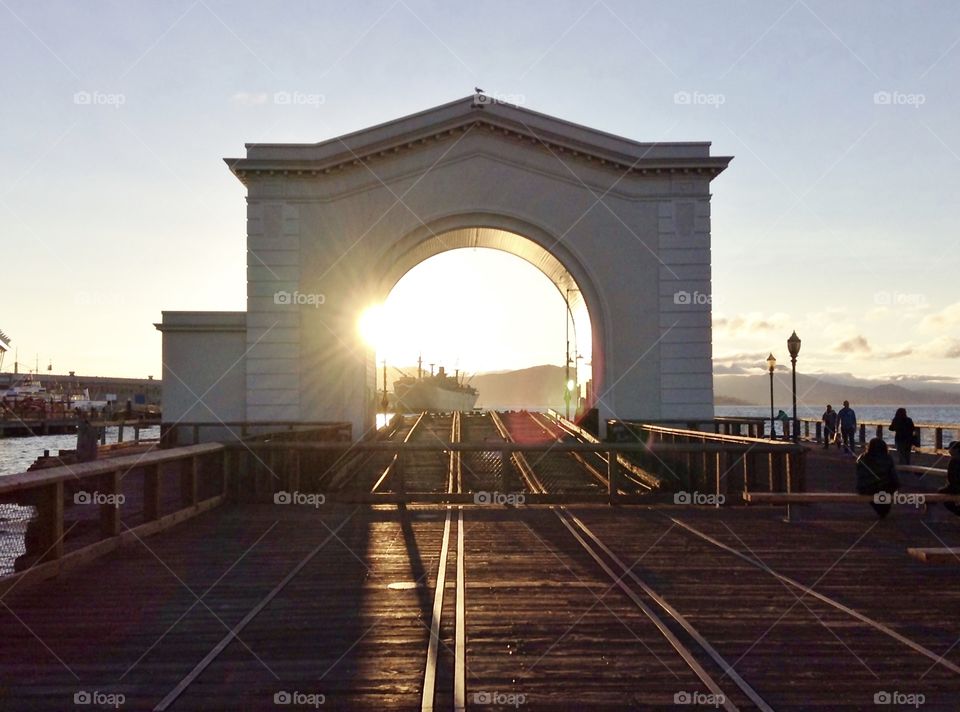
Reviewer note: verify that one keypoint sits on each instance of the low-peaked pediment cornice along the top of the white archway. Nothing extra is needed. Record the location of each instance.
(477, 112)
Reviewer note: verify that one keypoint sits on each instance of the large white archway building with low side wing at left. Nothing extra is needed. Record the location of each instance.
(334, 225)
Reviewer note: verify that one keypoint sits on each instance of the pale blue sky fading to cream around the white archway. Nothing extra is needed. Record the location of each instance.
(834, 204)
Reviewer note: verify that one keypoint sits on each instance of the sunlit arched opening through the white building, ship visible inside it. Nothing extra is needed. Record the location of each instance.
(477, 300)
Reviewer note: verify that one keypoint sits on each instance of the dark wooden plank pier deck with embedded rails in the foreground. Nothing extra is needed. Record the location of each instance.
(263, 606)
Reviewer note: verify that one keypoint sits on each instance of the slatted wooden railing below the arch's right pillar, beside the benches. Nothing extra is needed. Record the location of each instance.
(725, 465)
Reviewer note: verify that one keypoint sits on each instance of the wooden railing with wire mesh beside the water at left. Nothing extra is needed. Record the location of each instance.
(72, 513)
